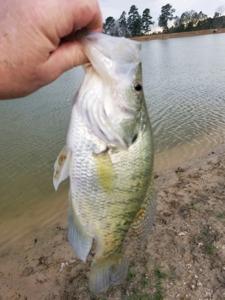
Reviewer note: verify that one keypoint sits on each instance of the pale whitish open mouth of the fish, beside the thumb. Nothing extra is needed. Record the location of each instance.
(110, 59)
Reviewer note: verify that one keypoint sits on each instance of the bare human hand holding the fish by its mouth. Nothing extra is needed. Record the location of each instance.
(34, 48)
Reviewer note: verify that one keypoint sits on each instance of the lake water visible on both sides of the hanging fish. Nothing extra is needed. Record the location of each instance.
(184, 81)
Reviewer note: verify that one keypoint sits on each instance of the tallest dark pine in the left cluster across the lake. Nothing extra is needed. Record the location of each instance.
(134, 21)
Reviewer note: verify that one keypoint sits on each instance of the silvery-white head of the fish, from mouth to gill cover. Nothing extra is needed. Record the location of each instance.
(107, 99)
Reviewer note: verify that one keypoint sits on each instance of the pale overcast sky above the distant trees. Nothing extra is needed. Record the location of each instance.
(115, 7)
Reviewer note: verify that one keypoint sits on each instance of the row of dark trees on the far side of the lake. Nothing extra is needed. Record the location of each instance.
(136, 24)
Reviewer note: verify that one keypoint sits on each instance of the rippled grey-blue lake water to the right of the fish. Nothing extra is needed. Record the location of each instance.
(184, 84)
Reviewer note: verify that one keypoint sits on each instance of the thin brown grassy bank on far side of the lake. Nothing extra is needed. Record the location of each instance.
(164, 36)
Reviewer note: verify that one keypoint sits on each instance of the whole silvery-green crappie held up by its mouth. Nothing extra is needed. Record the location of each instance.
(108, 158)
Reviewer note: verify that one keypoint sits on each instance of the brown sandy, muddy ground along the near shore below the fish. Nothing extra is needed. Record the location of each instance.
(184, 257)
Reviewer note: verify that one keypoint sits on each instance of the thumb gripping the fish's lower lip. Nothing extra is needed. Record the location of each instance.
(65, 57)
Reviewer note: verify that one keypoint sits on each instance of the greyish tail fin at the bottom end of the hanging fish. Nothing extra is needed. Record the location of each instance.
(107, 272)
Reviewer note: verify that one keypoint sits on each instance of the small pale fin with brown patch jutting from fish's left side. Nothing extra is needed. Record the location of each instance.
(61, 167)
